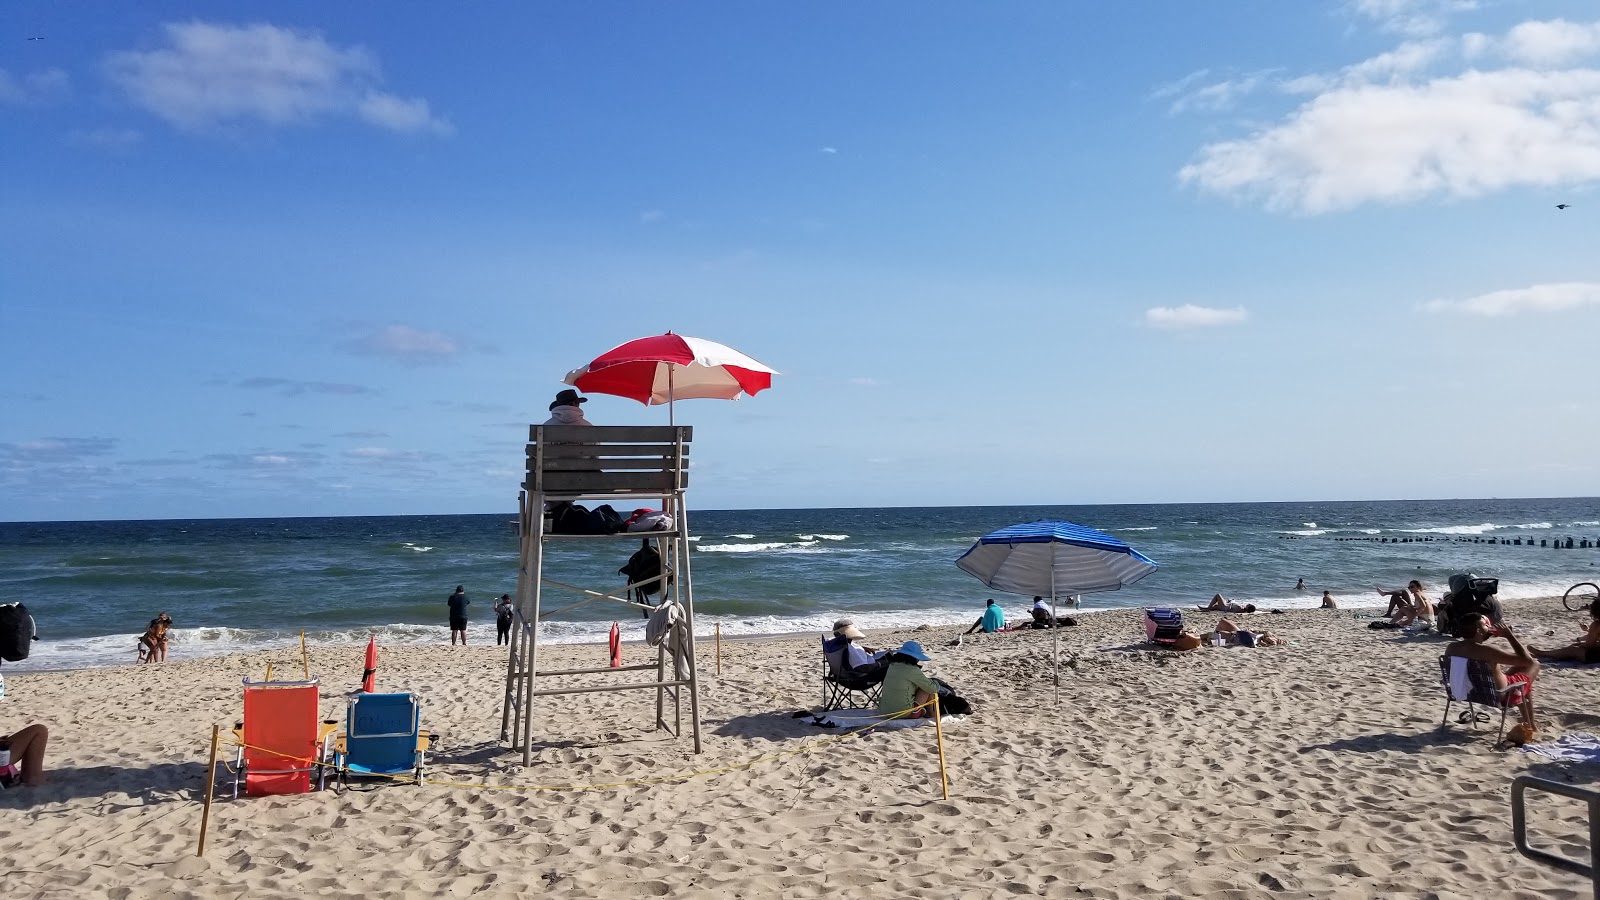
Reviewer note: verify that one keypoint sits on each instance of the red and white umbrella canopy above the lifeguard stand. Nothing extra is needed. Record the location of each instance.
(671, 368)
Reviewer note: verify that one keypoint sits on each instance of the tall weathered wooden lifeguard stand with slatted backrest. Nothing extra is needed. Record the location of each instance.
(602, 464)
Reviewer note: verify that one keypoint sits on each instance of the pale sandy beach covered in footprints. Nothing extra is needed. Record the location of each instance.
(1316, 769)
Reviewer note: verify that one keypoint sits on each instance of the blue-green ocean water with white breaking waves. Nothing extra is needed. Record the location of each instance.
(247, 584)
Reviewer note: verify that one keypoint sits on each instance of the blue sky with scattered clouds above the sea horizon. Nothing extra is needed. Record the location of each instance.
(310, 259)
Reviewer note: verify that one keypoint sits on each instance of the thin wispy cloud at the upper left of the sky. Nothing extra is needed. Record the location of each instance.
(212, 74)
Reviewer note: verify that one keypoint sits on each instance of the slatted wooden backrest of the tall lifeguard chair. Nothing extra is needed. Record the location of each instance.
(575, 460)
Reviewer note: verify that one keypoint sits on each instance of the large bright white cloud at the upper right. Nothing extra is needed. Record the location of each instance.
(1388, 131)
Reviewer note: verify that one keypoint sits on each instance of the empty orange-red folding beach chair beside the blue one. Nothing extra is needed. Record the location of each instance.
(281, 741)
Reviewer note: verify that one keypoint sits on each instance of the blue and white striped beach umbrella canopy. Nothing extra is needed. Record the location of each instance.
(1054, 560)
